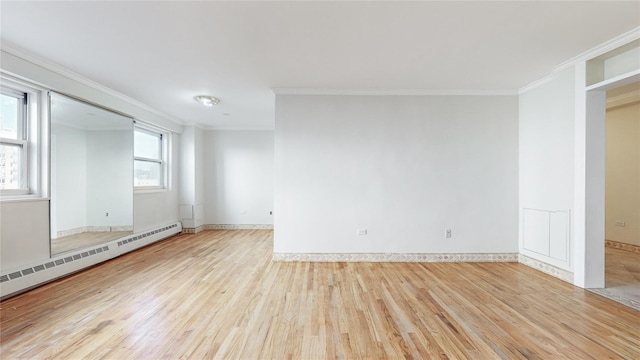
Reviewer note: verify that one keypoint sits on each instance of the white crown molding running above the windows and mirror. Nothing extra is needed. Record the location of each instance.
(58, 69)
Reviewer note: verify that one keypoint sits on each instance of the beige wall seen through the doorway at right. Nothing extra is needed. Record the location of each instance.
(623, 174)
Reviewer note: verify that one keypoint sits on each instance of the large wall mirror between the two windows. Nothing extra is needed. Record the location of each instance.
(91, 175)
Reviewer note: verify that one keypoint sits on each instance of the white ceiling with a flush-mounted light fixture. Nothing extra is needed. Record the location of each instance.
(163, 53)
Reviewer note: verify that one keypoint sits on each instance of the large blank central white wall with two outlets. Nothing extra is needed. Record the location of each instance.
(403, 167)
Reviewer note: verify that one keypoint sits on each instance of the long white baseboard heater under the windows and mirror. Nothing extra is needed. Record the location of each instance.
(17, 280)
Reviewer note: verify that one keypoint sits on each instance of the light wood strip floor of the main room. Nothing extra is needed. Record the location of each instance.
(217, 294)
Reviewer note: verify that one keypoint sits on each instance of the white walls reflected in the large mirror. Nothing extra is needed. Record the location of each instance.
(97, 172)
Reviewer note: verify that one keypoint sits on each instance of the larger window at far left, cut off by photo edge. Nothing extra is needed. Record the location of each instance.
(19, 151)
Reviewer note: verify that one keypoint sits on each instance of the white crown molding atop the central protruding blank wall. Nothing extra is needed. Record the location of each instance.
(395, 92)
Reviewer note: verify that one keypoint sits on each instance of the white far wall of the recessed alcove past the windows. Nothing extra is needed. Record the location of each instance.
(238, 170)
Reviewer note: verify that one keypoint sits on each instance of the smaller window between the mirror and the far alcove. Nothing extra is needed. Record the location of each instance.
(149, 158)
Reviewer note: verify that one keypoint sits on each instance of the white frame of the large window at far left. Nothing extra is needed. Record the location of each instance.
(32, 129)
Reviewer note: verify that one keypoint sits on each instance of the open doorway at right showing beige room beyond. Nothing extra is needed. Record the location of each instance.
(622, 195)
